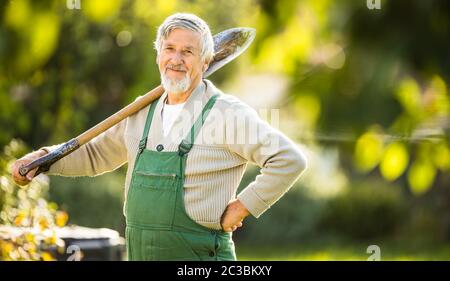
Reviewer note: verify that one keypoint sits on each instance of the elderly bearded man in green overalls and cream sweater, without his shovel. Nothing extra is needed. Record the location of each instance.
(183, 167)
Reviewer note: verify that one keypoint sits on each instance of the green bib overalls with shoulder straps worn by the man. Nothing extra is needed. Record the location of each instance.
(158, 227)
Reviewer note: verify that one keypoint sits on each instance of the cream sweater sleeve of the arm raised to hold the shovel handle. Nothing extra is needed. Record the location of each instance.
(102, 154)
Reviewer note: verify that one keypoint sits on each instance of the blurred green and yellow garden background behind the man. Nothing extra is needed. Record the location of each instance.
(363, 91)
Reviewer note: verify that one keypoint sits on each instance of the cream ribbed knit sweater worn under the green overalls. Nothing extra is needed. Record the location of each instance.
(232, 135)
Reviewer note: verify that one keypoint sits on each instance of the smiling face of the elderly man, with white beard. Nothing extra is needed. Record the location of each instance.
(179, 61)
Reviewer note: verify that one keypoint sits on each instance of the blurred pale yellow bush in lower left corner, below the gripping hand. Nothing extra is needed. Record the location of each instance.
(27, 219)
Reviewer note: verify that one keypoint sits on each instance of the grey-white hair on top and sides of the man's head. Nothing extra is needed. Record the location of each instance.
(189, 22)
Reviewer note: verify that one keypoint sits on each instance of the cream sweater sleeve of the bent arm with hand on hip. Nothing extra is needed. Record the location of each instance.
(280, 160)
